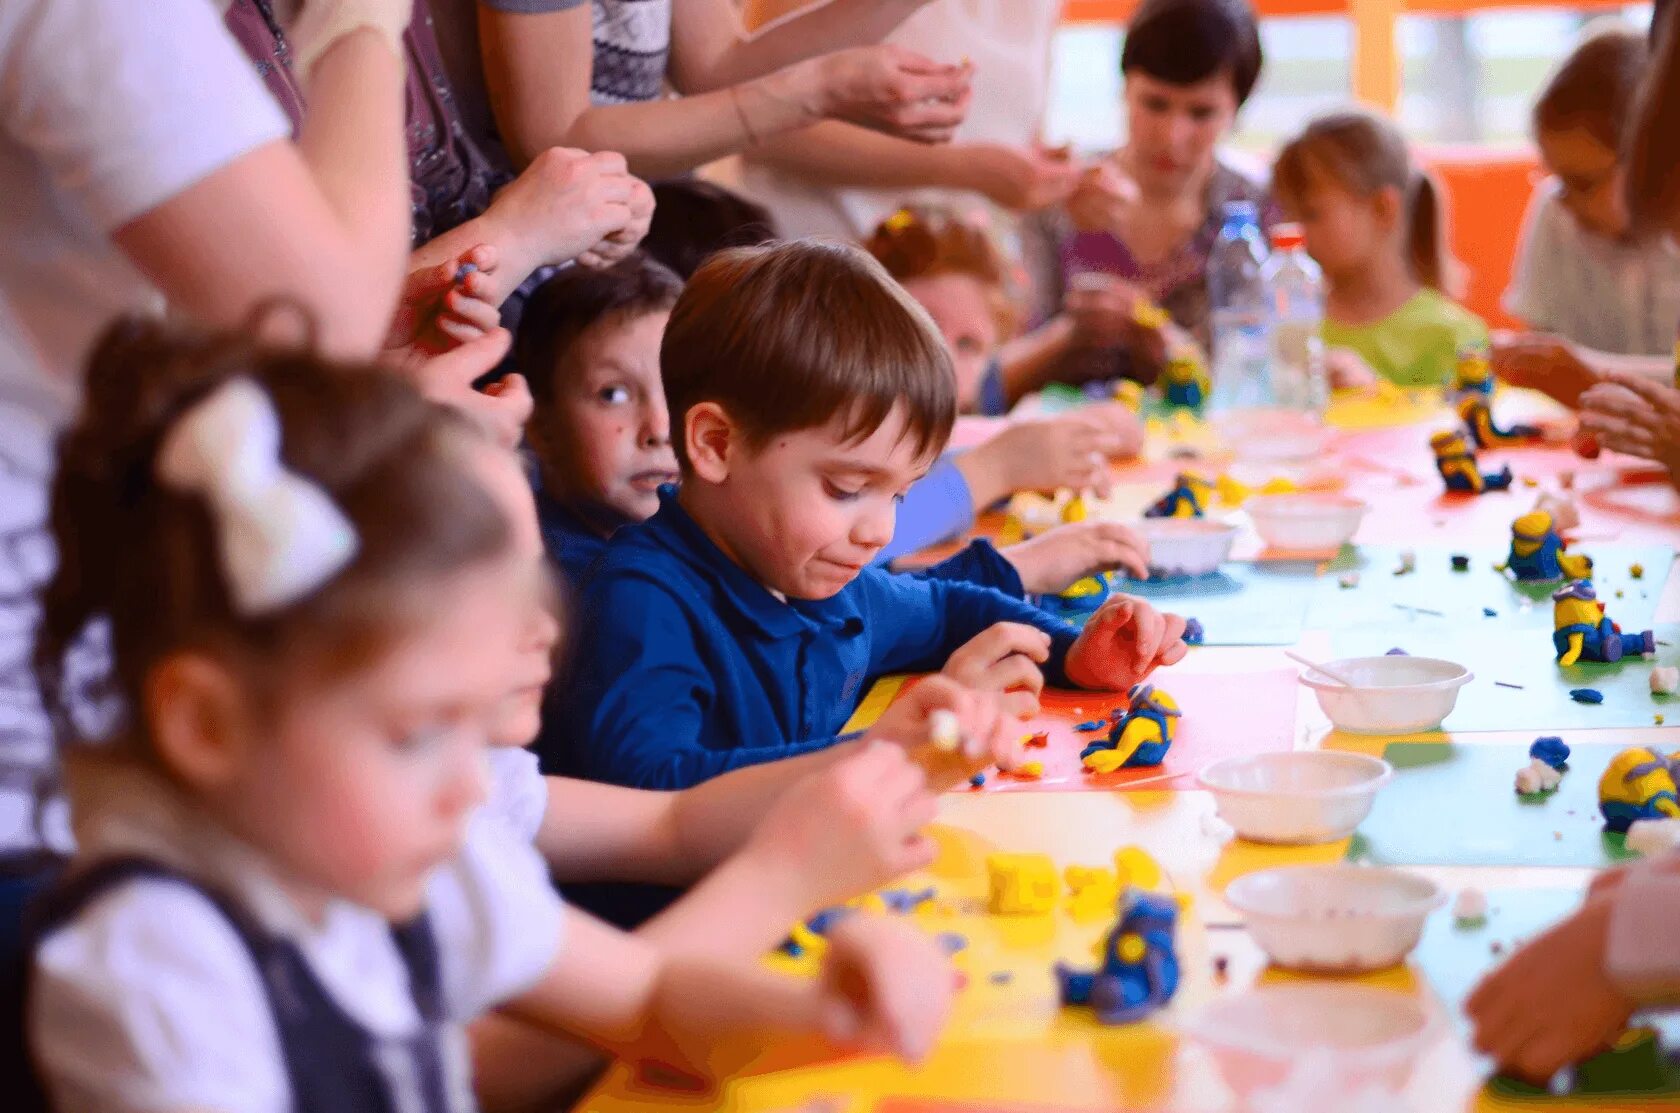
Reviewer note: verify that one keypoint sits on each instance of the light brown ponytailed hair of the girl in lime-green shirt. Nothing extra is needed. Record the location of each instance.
(1367, 154)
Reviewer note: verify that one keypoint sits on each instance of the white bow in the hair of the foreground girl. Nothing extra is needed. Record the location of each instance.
(281, 537)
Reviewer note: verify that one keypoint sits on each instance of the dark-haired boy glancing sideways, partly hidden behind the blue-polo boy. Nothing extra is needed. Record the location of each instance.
(589, 346)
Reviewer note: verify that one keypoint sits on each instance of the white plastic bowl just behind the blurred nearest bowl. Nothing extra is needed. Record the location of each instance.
(1335, 919)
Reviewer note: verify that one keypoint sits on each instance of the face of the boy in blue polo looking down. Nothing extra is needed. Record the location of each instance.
(806, 512)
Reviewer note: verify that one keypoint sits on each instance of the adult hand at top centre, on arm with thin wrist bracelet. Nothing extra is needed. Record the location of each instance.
(893, 90)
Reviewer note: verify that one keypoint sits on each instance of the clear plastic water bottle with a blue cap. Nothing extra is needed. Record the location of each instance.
(1241, 314)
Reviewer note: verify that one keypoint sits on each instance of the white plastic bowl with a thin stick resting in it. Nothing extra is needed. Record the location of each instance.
(1392, 697)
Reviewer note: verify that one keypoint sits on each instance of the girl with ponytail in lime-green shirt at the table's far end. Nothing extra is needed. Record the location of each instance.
(1373, 224)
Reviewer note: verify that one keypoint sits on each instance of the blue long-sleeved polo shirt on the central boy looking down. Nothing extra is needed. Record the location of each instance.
(685, 667)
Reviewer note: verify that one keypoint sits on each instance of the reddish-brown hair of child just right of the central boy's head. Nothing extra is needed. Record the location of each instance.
(927, 241)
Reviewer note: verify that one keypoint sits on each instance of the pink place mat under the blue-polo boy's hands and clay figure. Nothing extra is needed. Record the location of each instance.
(1226, 715)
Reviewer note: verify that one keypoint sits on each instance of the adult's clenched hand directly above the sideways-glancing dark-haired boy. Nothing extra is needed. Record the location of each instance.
(569, 204)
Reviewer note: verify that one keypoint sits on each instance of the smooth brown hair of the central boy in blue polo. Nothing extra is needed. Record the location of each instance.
(789, 337)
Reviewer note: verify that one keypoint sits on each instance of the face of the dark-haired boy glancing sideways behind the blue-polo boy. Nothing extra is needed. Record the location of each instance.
(607, 438)
